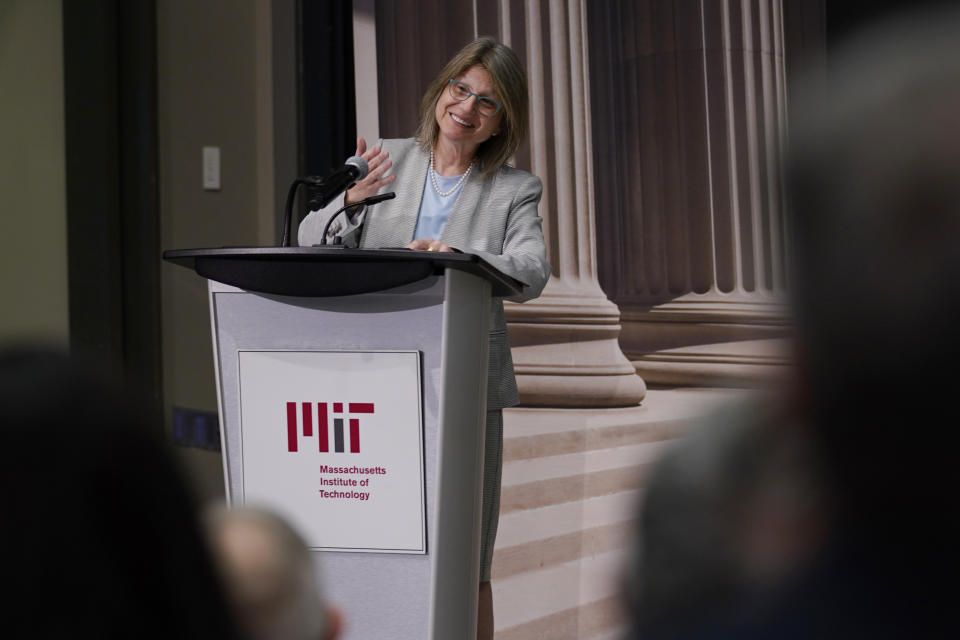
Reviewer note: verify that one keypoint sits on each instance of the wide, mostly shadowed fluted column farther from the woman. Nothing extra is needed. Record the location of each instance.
(691, 100)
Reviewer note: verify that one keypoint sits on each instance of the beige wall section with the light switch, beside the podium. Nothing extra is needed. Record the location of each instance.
(213, 90)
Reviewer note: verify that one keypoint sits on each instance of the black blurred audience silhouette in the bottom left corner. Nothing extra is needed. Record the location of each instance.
(100, 537)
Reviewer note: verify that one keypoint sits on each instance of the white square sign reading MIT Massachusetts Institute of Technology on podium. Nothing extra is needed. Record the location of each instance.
(333, 440)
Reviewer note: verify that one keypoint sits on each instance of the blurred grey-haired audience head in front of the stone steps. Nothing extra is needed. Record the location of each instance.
(731, 514)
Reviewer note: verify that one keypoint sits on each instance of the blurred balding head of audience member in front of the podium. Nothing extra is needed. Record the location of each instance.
(270, 576)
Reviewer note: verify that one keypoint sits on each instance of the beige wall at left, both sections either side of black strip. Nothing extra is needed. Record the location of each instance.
(213, 89)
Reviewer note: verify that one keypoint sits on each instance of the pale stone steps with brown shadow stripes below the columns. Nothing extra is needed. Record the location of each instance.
(572, 484)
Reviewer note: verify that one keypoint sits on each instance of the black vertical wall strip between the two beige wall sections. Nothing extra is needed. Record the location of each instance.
(112, 206)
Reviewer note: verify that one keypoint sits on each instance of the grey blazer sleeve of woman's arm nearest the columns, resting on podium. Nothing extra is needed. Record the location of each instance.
(524, 255)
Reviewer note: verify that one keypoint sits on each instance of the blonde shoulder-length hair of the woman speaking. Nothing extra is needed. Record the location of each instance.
(510, 83)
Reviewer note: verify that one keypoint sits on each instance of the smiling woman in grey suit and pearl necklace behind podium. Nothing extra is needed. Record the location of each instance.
(456, 192)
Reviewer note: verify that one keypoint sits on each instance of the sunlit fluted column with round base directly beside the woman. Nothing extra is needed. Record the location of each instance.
(565, 344)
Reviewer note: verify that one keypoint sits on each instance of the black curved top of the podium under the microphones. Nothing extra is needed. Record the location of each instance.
(331, 271)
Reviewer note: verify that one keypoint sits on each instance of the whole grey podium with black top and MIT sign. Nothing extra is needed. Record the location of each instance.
(357, 412)
